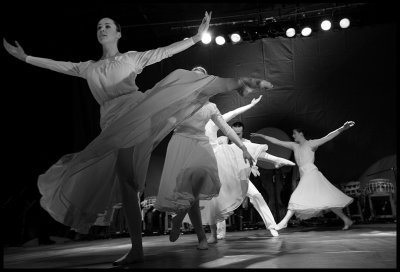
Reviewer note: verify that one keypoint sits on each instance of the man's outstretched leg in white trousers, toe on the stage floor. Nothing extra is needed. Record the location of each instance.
(262, 208)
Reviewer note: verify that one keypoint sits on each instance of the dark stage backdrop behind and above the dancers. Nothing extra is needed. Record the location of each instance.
(320, 81)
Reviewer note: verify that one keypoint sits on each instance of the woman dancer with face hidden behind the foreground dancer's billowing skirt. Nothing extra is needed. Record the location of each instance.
(190, 170)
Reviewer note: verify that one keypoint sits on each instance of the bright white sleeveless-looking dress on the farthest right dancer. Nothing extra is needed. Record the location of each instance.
(314, 193)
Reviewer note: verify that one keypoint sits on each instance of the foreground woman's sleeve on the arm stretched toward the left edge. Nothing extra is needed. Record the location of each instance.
(69, 68)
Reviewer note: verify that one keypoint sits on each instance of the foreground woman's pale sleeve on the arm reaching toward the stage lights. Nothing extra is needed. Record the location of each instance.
(143, 59)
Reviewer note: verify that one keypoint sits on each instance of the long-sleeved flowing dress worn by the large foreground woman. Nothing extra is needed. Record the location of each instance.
(81, 185)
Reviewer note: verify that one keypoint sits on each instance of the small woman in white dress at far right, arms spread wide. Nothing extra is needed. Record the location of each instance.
(314, 193)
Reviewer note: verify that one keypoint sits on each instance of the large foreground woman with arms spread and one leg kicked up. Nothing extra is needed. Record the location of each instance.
(133, 123)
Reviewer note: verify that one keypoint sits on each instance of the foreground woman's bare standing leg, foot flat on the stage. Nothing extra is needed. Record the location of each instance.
(131, 207)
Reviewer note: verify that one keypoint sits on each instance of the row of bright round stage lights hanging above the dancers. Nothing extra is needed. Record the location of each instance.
(290, 32)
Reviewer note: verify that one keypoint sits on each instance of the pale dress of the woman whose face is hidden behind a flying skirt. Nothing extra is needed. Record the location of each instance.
(190, 170)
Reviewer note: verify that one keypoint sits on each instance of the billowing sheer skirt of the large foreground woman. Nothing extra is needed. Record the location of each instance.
(80, 186)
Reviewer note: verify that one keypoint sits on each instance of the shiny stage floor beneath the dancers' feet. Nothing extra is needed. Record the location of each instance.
(362, 246)
